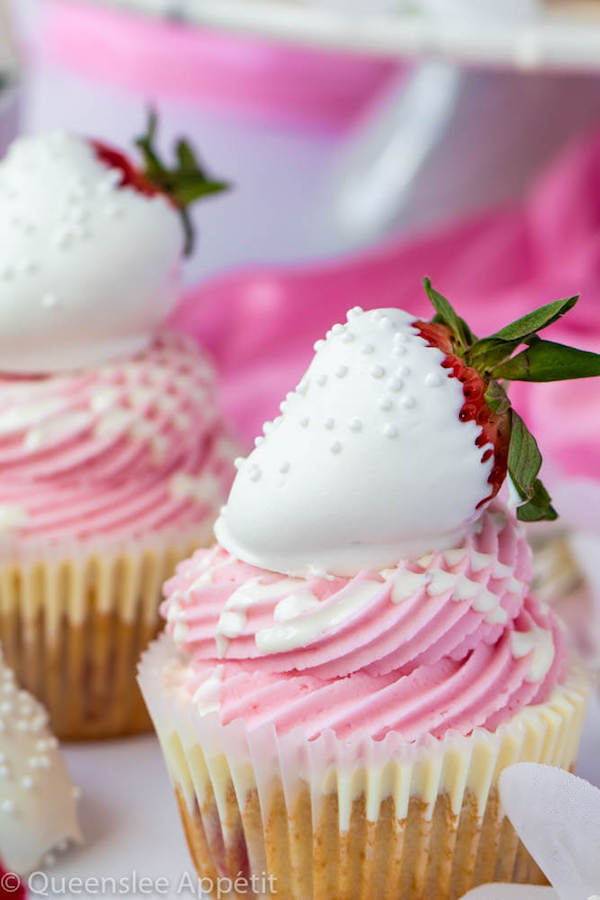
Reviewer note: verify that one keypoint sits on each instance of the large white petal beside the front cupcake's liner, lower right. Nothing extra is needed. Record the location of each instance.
(557, 816)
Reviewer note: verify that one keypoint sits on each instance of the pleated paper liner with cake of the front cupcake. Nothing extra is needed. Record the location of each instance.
(353, 819)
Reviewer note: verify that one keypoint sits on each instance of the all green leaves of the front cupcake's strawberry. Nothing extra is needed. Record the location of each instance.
(495, 359)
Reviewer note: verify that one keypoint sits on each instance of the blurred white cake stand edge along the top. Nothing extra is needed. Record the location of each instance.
(521, 33)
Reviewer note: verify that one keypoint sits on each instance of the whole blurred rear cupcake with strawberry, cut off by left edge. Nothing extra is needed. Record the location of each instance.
(114, 458)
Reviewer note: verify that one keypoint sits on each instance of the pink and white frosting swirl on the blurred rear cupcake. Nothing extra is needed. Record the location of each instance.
(119, 450)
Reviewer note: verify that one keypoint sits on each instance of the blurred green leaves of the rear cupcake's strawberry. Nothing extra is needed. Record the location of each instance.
(184, 184)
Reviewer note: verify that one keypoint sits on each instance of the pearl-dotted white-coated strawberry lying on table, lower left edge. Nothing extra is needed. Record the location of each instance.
(37, 802)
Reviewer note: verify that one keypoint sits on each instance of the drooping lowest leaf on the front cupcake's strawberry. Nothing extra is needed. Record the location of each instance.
(524, 463)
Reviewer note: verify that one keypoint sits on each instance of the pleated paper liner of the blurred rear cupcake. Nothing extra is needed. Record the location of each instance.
(75, 620)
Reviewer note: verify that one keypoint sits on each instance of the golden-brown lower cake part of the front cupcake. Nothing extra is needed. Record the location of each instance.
(417, 857)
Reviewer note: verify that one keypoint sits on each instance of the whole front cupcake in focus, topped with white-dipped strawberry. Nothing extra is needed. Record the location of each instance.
(347, 672)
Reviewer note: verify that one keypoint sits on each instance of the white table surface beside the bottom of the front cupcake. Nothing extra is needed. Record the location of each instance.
(131, 823)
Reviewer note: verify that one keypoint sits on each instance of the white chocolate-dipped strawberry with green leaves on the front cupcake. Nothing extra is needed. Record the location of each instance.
(394, 441)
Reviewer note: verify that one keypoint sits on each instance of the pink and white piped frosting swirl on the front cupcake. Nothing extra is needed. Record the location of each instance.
(453, 640)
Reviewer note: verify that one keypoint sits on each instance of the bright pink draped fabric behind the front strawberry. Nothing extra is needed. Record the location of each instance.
(260, 324)
